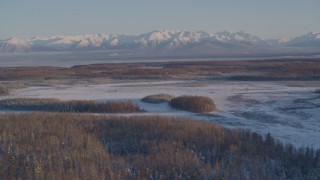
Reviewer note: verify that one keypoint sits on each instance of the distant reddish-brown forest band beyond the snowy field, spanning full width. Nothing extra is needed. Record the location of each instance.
(268, 70)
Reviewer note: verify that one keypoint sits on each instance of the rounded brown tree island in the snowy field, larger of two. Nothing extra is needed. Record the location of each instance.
(198, 104)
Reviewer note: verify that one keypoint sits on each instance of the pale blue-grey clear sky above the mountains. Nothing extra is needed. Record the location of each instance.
(264, 18)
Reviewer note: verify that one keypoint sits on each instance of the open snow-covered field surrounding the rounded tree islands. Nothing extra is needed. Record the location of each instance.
(289, 113)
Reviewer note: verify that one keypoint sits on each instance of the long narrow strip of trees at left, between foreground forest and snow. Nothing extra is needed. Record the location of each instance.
(56, 105)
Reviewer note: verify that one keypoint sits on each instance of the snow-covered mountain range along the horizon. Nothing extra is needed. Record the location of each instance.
(160, 40)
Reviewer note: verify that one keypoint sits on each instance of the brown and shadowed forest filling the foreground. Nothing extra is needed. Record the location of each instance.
(74, 146)
